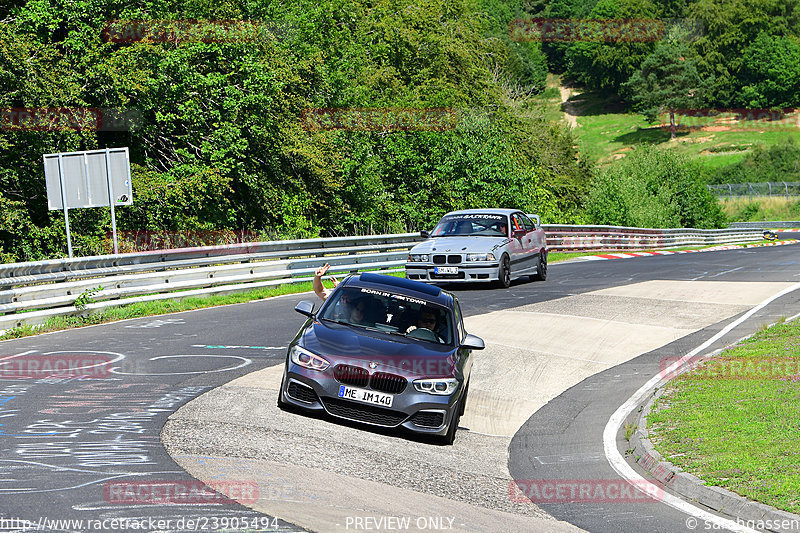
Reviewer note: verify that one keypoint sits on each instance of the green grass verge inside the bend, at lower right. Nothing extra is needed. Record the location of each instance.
(733, 420)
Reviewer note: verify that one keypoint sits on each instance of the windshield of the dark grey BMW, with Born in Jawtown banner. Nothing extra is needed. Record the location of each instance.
(389, 312)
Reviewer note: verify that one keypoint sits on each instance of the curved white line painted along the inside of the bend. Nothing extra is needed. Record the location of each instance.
(611, 430)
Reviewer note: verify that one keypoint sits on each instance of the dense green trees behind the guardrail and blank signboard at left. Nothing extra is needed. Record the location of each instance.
(222, 143)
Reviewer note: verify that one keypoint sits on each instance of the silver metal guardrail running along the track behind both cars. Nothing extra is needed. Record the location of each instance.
(31, 292)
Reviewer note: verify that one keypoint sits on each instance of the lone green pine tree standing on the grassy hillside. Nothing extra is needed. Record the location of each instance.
(666, 81)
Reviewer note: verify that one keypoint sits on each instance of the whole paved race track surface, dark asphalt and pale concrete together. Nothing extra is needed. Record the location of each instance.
(78, 445)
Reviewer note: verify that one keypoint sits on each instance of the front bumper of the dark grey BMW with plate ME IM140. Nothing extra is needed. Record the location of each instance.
(419, 412)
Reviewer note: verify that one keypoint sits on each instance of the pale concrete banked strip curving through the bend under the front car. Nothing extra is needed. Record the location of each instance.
(322, 475)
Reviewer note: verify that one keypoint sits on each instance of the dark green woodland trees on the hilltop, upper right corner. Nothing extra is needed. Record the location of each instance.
(748, 48)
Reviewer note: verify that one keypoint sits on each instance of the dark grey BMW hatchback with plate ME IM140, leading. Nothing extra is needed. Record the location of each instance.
(383, 351)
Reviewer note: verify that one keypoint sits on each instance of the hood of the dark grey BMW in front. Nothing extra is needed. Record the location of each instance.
(341, 344)
